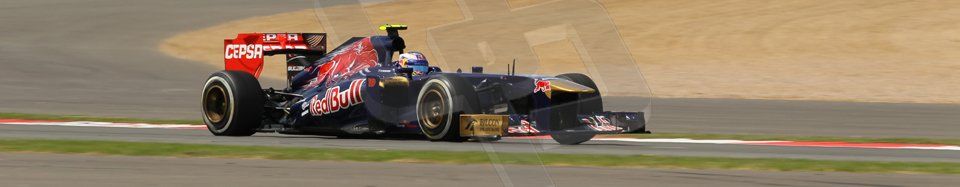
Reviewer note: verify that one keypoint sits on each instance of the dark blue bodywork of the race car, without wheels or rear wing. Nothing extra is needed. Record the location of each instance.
(362, 102)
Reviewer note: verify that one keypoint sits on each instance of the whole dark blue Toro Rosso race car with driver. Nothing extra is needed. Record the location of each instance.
(357, 89)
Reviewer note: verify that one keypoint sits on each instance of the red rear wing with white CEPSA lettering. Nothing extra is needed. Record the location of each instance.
(245, 53)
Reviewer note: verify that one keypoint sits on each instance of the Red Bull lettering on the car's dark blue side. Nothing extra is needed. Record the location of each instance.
(334, 99)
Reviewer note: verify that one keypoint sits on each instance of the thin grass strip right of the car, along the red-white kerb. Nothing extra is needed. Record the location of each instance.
(792, 138)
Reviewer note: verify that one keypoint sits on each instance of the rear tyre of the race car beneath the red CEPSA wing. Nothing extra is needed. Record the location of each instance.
(232, 103)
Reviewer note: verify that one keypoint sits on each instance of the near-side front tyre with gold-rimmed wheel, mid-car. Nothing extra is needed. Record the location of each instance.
(439, 105)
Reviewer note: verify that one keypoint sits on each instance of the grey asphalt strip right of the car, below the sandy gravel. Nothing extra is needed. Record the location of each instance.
(801, 118)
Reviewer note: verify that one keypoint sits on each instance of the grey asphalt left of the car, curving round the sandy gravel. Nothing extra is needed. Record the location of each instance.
(100, 57)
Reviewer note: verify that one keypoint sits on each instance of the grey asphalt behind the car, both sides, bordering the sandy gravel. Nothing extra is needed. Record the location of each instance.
(99, 58)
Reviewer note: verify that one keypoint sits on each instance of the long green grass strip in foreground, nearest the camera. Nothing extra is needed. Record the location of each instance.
(448, 157)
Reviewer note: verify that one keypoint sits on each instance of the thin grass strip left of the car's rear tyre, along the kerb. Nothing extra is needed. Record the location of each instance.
(90, 118)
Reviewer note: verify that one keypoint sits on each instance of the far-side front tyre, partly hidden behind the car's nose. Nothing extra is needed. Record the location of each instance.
(570, 106)
